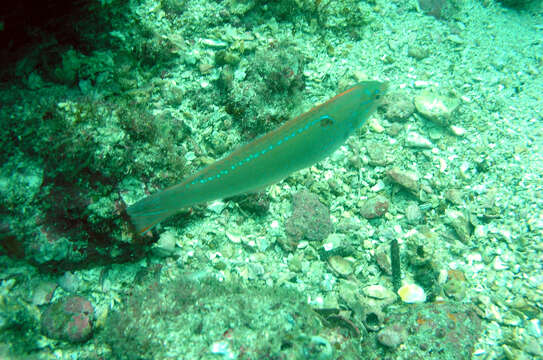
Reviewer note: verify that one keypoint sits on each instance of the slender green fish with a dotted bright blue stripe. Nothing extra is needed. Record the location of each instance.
(297, 144)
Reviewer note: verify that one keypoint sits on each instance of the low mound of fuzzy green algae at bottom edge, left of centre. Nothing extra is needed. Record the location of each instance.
(189, 316)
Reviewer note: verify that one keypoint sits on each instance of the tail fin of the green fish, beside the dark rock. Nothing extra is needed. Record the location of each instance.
(148, 212)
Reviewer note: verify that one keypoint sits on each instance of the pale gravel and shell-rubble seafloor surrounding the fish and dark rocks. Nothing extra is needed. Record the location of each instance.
(476, 210)
